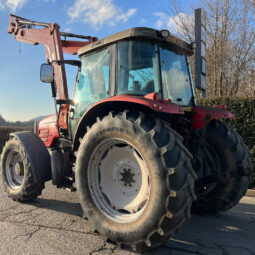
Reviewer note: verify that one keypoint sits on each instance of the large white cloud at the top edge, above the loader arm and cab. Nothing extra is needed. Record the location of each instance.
(99, 12)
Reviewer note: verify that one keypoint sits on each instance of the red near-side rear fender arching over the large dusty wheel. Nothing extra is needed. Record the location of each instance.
(121, 103)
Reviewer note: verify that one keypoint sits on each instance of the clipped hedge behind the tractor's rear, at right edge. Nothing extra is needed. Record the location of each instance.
(244, 123)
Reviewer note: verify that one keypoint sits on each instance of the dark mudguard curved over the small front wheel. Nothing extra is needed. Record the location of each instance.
(37, 154)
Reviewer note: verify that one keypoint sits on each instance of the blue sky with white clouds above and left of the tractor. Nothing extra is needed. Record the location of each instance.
(22, 95)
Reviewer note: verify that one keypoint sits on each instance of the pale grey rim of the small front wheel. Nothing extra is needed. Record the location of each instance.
(14, 170)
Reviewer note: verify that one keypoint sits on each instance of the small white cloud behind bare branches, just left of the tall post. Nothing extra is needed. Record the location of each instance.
(174, 24)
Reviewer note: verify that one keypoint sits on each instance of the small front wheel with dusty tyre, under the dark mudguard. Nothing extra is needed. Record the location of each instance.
(16, 172)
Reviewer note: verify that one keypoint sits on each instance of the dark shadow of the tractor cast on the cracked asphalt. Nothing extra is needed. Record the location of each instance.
(225, 233)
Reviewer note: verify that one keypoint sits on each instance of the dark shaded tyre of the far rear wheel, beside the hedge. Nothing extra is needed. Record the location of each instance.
(232, 172)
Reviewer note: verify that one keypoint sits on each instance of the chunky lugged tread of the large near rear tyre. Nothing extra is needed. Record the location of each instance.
(169, 223)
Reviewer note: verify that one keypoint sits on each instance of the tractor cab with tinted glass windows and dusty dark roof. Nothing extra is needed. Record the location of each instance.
(136, 62)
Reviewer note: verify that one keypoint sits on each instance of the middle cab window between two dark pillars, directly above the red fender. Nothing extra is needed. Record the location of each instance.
(138, 68)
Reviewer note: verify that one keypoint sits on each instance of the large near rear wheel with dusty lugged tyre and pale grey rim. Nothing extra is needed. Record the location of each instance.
(134, 179)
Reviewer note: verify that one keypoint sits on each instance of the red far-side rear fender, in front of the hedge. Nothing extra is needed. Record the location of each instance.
(217, 112)
